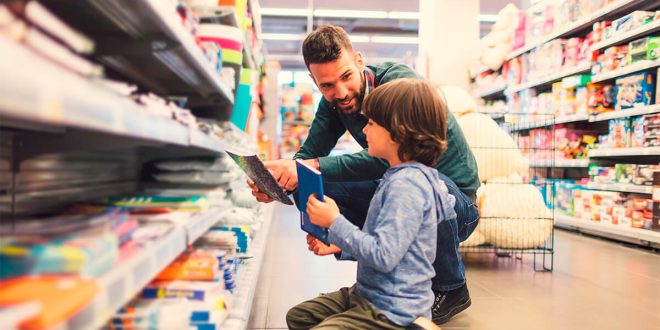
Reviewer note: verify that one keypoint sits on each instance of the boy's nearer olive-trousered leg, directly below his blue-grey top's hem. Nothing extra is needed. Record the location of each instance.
(360, 315)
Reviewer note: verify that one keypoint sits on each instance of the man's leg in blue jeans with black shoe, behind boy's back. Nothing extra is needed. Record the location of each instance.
(452, 295)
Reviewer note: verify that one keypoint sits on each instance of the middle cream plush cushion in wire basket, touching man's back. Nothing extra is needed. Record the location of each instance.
(495, 151)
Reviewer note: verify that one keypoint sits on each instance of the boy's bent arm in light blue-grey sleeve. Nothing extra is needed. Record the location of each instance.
(398, 222)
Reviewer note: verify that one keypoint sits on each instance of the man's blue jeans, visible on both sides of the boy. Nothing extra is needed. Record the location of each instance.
(353, 199)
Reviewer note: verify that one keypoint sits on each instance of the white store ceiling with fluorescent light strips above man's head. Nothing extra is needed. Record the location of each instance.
(295, 27)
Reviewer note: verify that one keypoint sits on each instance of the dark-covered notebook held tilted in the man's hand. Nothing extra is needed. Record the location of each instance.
(257, 171)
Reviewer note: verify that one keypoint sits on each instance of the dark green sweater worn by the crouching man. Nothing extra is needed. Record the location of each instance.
(329, 125)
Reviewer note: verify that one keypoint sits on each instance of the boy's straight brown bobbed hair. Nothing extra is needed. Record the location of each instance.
(414, 114)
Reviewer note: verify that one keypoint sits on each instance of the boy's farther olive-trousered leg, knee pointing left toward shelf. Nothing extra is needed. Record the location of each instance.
(310, 313)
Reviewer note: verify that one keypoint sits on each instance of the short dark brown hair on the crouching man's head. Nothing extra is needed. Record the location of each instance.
(325, 44)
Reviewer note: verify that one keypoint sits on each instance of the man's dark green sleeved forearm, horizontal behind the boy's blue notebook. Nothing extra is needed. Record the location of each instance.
(353, 167)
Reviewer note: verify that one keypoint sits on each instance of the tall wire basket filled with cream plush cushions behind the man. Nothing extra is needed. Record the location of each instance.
(517, 213)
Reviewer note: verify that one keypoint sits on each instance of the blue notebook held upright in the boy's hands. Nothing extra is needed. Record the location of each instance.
(310, 182)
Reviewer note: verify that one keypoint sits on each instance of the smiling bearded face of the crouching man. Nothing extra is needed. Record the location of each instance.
(341, 81)
